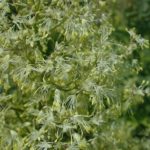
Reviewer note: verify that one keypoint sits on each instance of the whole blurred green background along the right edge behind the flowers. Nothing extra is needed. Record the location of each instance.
(135, 14)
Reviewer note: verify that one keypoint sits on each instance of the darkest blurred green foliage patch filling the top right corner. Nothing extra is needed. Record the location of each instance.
(138, 16)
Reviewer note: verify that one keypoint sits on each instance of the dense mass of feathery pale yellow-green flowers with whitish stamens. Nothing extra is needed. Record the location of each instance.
(66, 81)
